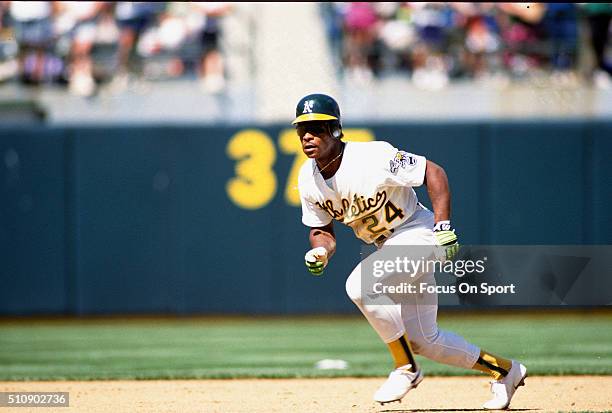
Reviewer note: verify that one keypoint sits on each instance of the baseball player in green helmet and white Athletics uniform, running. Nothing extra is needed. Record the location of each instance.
(368, 186)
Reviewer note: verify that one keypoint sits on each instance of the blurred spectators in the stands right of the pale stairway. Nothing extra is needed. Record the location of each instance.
(438, 42)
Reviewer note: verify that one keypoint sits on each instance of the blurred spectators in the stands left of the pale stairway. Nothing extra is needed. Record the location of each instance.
(87, 44)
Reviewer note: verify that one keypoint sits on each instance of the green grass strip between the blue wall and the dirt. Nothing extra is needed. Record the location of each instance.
(560, 343)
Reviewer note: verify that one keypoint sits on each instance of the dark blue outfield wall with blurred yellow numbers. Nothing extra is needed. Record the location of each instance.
(190, 219)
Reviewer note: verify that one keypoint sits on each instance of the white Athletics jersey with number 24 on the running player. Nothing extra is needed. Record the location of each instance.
(371, 192)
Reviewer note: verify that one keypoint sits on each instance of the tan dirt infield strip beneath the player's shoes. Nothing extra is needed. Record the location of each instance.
(435, 394)
